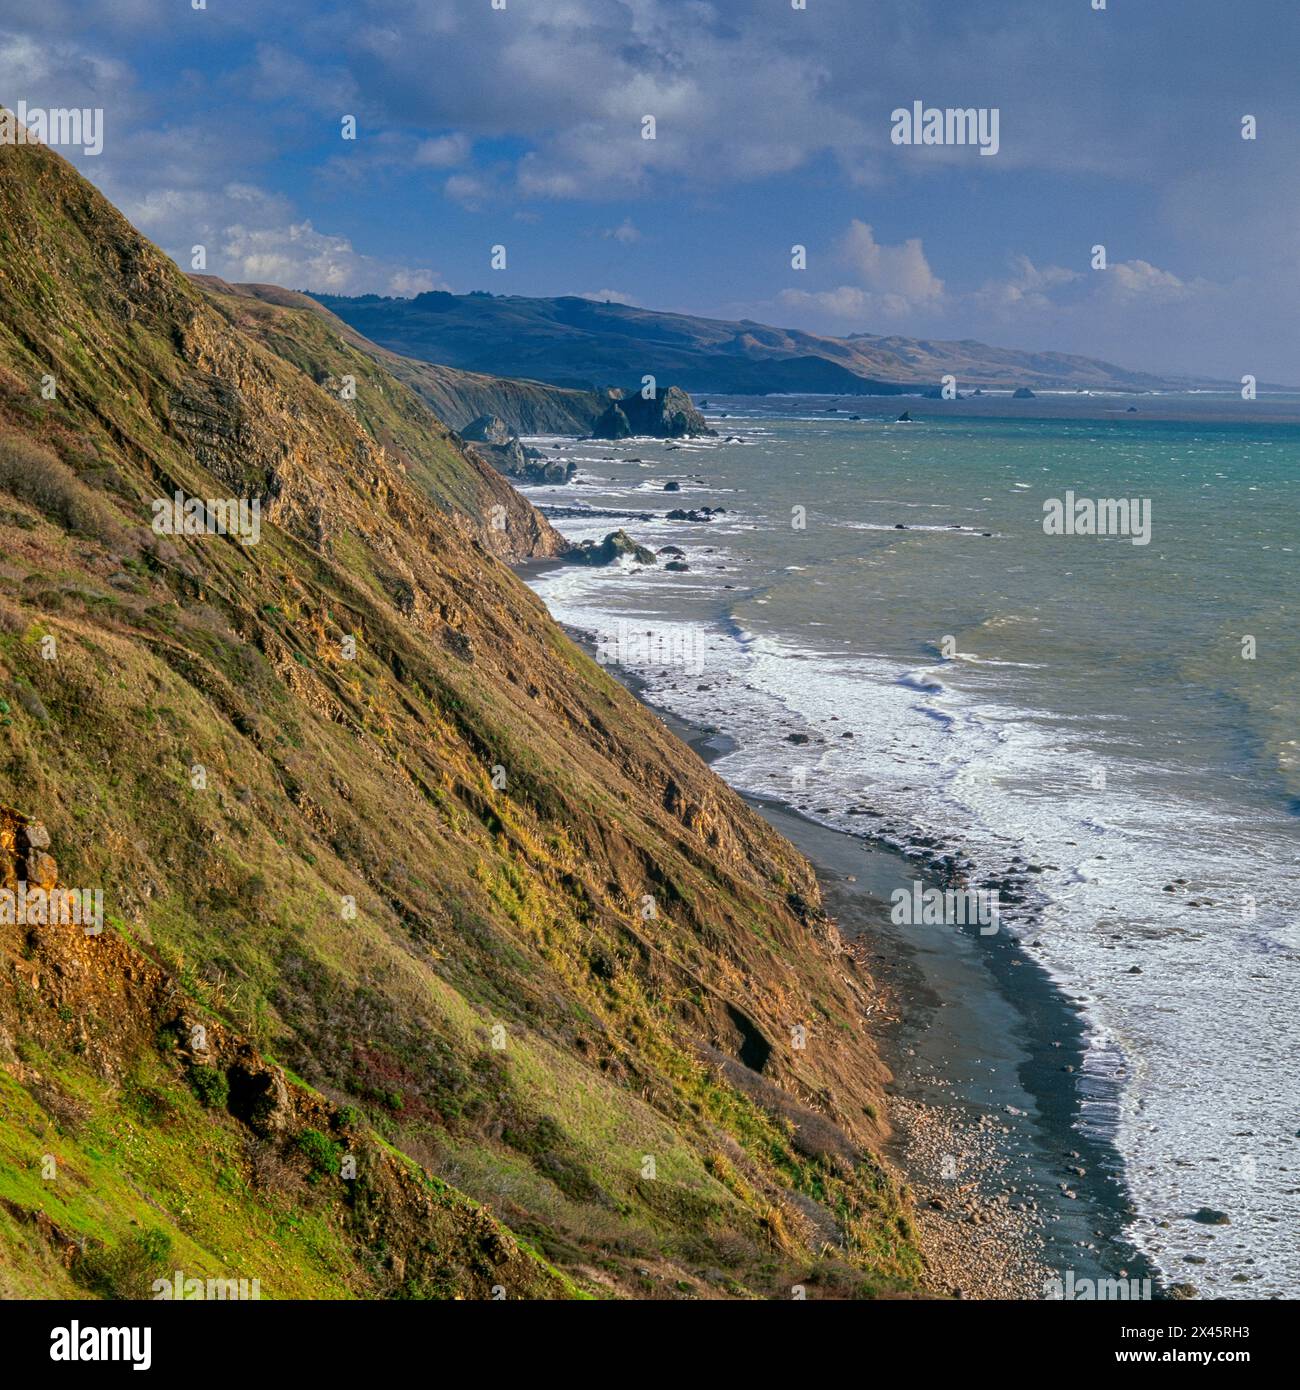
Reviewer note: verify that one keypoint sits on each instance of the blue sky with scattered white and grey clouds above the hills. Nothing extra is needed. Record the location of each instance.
(522, 124)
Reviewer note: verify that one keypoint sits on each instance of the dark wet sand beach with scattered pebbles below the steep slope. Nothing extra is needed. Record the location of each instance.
(1009, 1193)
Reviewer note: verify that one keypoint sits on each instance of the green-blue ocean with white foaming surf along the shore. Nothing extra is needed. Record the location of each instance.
(1107, 721)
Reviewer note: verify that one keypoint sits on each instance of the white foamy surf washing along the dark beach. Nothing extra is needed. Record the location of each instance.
(946, 750)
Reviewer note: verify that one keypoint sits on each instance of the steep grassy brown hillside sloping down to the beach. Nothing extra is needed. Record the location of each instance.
(352, 793)
